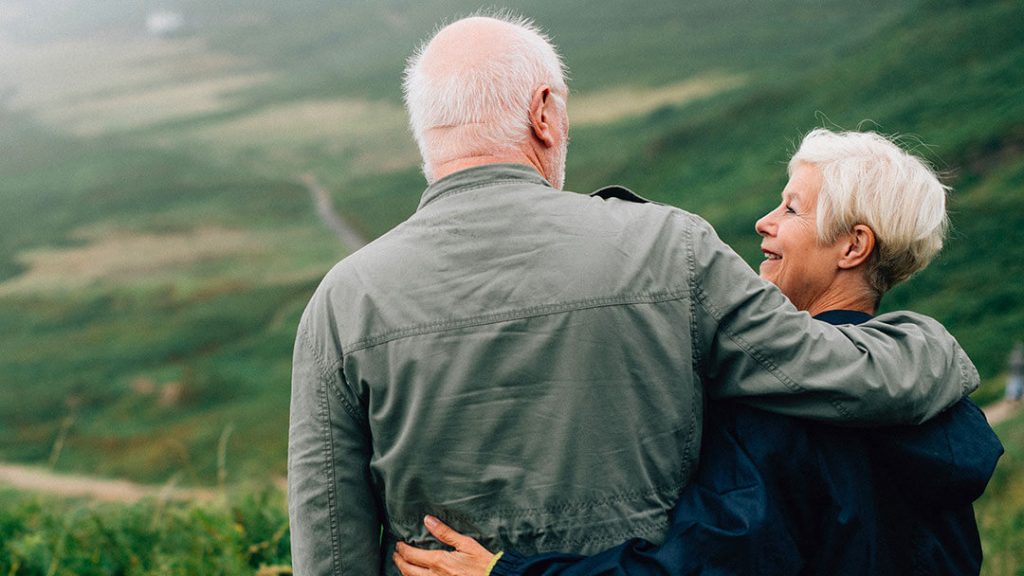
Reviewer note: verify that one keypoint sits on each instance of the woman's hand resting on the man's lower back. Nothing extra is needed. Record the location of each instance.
(468, 558)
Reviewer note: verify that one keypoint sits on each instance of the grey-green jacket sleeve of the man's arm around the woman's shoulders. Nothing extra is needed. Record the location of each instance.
(755, 346)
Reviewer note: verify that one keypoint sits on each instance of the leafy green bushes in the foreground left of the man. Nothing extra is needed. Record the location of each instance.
(51, 537)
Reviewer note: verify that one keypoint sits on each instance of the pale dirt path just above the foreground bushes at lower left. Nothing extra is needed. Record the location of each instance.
(109, 490)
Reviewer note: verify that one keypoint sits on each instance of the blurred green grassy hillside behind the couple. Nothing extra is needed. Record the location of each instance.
(157, 246)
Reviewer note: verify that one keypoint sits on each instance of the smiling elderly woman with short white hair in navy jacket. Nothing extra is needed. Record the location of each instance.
(778, 496)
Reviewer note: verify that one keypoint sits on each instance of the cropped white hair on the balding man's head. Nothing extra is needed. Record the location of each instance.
(481, 108)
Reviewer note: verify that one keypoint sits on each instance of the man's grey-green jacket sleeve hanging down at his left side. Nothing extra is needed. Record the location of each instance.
(335, 523)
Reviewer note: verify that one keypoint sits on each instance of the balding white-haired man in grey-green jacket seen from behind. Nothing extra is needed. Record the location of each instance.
(531, 365)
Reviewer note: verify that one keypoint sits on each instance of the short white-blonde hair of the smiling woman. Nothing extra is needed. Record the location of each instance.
(869, 180)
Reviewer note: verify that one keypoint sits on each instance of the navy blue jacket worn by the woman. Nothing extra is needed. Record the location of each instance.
(779, 496)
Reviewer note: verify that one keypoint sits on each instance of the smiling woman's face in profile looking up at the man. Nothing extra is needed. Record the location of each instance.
(794, 260)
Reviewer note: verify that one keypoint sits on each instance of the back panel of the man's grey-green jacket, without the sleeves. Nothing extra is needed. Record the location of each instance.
(516, 352)
